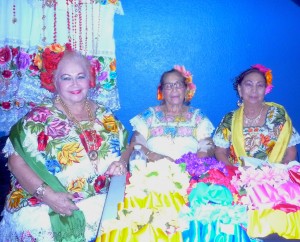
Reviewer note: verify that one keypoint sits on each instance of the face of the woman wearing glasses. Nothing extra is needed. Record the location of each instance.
(173, 89)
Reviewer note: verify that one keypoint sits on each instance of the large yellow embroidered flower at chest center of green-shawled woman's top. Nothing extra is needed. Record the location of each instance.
(69, 154)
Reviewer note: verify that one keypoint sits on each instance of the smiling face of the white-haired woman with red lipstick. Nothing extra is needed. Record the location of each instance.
(72, 82)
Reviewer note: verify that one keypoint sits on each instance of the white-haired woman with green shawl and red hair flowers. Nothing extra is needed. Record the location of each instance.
(61, 155)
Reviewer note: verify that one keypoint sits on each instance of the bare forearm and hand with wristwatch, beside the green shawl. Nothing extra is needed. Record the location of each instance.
(60, 202)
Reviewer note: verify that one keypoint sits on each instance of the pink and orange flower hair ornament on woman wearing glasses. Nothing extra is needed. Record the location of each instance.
(191, 87)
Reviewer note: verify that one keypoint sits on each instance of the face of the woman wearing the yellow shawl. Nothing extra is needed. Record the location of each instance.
(252, 88)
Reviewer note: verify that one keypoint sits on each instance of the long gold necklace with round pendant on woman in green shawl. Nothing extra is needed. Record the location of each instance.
(91, 146)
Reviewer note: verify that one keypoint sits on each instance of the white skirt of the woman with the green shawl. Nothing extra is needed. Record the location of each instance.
(33, 223)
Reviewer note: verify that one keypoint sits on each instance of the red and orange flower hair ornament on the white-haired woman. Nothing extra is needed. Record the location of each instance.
(47, 60)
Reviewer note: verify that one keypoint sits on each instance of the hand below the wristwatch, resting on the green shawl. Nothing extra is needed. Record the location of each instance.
(60, 202)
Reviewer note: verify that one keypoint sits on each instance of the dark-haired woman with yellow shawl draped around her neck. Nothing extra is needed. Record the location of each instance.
(257, 129)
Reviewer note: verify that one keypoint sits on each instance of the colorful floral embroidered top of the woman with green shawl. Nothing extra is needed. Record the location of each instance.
(63, 151)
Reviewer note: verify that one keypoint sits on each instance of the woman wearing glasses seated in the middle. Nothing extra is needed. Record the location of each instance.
(173, 128)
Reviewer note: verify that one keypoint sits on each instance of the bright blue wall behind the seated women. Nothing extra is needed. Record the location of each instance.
(215, 40)
